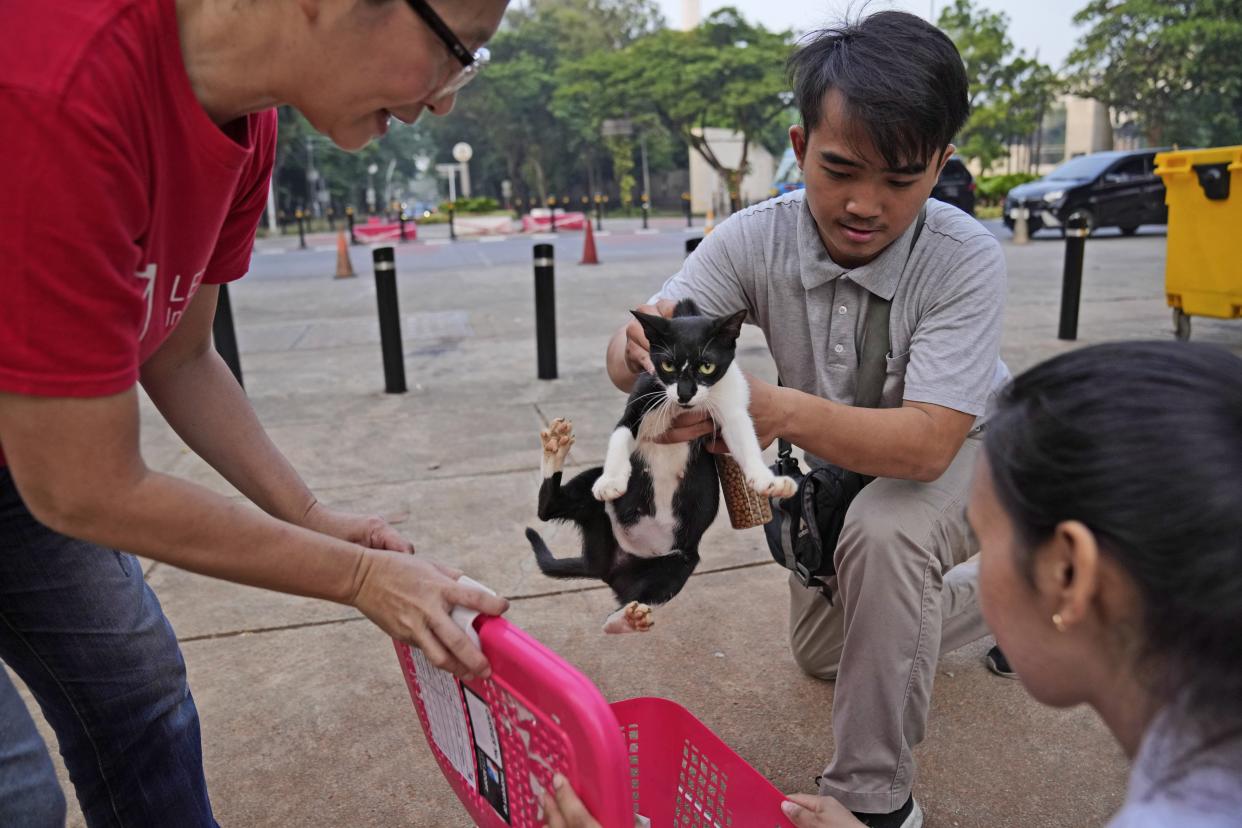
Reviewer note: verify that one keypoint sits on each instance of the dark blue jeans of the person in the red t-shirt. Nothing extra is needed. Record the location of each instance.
(89, 637)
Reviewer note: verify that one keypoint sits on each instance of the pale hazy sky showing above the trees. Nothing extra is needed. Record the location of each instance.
(1044, 25)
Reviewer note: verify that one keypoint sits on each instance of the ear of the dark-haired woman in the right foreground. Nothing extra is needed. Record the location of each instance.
(1067, 574)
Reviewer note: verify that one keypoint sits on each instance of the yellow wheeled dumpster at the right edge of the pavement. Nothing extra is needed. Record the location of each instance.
(1203, 268)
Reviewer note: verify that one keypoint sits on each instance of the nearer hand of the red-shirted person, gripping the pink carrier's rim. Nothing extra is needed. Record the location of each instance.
(410, 598)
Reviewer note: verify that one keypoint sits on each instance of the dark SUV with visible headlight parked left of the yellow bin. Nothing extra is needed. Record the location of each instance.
(1115, 189)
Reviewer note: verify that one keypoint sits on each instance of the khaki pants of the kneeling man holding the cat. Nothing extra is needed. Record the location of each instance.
(905, 594)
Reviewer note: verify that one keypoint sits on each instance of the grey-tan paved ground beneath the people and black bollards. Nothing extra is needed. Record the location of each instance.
(305, 716)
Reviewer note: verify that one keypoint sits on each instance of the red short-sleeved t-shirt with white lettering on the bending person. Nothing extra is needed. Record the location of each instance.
(119, 194)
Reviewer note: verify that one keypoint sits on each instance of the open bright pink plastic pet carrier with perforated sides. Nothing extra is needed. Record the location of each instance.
(500, 742)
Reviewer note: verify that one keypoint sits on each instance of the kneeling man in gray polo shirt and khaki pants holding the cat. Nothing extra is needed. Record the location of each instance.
(881, 100)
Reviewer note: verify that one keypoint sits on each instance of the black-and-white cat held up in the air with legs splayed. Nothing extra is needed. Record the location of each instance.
(644, 513)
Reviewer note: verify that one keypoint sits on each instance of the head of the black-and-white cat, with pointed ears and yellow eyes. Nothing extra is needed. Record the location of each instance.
(691, 354)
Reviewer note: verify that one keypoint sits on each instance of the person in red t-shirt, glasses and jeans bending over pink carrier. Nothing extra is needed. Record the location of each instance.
(140, 140)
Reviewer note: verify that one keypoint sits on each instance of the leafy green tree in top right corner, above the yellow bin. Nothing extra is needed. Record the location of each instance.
(1176, 65)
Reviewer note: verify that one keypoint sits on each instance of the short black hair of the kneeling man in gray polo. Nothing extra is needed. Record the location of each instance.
(899, 75)
